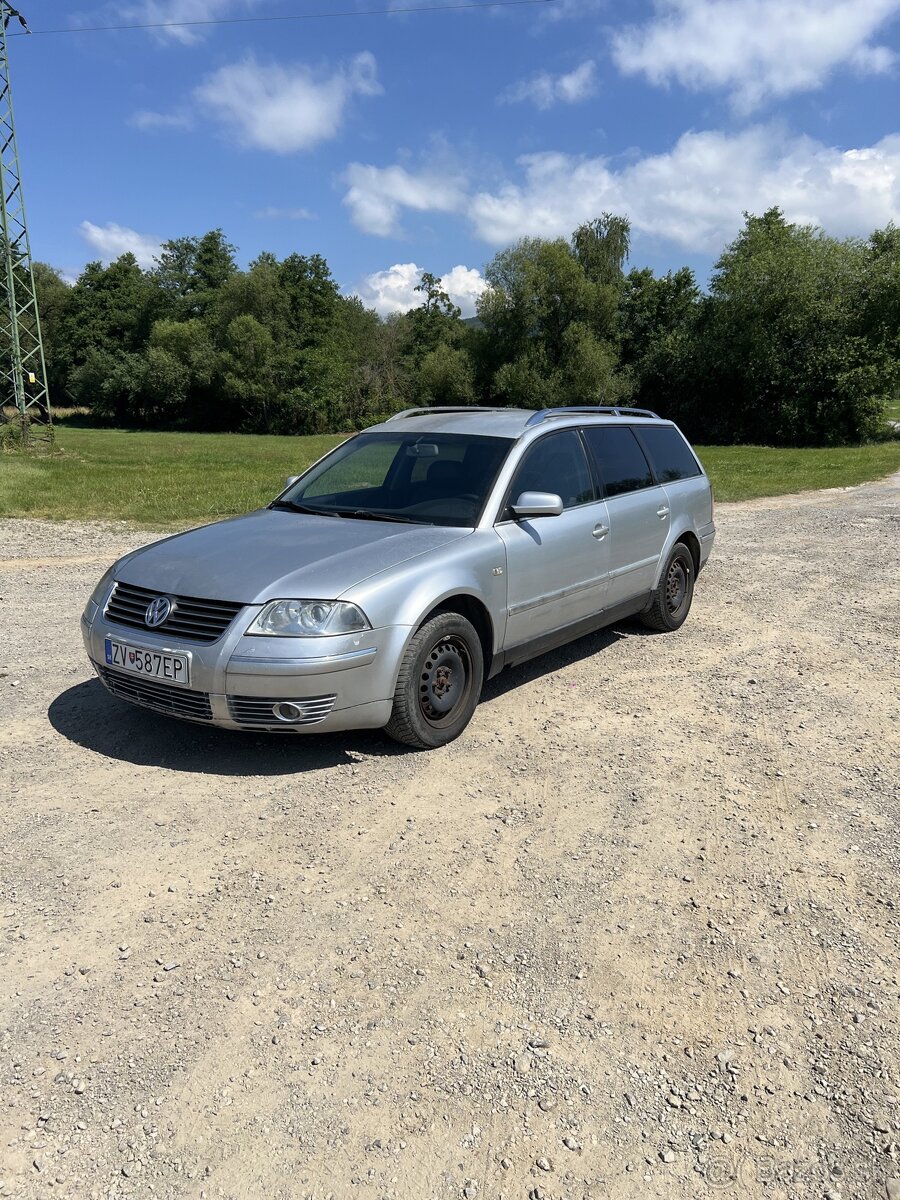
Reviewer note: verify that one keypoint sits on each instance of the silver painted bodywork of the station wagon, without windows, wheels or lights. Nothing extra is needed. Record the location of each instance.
(539, 581)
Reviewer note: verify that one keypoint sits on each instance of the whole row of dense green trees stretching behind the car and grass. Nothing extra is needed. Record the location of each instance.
(796, 341)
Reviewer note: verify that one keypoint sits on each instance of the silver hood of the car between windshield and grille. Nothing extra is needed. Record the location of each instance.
(275, 555)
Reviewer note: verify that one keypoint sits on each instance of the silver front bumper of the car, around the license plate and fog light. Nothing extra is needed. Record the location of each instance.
(239, 682)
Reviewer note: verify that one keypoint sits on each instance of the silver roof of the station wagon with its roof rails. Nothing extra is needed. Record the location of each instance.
(508, 423)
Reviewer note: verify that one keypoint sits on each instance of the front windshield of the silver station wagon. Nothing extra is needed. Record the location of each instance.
(424, 478)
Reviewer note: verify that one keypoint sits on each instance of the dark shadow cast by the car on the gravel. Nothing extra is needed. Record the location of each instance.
(89, 717)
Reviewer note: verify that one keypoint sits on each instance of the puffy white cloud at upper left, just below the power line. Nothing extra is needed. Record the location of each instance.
(285, 110)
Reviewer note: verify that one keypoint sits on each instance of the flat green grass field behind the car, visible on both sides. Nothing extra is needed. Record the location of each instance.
(178, 479)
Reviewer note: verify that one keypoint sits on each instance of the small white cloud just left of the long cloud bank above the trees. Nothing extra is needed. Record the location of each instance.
(376, 195)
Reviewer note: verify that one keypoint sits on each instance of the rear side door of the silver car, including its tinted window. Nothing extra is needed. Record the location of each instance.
(639, 511)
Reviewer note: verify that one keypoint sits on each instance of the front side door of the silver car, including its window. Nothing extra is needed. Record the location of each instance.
(556, 566)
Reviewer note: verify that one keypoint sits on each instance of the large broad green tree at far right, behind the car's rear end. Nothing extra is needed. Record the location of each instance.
(785, 357)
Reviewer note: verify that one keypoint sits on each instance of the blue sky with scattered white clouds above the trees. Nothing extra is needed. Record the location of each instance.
(429, 141)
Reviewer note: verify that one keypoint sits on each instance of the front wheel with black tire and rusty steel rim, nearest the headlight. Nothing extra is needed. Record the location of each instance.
(440, 683)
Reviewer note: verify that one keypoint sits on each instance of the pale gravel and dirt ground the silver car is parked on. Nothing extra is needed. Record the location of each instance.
(634, 935)
